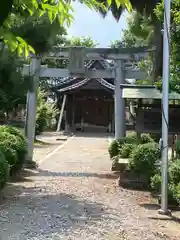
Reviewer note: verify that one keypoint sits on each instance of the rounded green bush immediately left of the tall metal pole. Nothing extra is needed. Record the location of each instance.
(144, 158)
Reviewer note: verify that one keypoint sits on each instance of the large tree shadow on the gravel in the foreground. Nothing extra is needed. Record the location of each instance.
(32, 212)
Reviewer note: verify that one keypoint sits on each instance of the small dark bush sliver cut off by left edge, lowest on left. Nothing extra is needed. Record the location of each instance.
(4, 171)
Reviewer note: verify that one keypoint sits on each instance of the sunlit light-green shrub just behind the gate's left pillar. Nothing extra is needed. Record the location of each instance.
(45, 112)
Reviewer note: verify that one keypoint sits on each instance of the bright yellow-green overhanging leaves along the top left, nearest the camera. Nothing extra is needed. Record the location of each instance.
(19, 10)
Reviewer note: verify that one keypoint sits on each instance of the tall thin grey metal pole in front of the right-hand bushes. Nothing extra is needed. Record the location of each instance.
(165, 109)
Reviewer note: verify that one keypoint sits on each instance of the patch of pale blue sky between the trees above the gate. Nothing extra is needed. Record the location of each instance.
(91, 23)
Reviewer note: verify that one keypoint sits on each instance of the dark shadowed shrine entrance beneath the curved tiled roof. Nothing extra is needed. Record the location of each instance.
(88, 111)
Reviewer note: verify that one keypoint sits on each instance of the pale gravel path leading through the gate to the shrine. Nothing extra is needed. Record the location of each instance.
(73, 195)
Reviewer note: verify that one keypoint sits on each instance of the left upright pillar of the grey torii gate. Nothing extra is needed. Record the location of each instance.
(31, 109)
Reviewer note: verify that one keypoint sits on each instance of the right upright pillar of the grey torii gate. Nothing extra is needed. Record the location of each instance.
(119, 103)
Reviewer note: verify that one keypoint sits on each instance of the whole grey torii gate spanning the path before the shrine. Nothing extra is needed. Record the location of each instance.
(77, 57)
